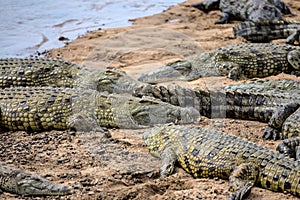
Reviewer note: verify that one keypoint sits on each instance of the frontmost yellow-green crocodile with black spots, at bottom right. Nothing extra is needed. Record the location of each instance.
(210, 153)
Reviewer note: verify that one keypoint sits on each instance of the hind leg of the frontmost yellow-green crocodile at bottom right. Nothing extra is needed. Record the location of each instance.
(242, 179)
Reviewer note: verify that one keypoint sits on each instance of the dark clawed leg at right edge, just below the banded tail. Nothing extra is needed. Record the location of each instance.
(277, 121)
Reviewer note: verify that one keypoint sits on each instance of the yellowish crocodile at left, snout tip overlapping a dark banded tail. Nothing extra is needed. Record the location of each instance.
(48, 108)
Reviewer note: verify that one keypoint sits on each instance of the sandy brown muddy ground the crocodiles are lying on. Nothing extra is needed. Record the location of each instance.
(121, 167)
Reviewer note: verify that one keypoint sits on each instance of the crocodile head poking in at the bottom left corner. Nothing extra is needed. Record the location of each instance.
(15, 180)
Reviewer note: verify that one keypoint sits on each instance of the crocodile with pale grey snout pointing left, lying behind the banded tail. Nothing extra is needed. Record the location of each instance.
(235, 61)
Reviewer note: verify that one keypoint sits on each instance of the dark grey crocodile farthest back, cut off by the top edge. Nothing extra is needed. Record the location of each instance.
(246, 10)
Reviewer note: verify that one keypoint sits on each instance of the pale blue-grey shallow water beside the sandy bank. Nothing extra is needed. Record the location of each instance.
(31, 26)
